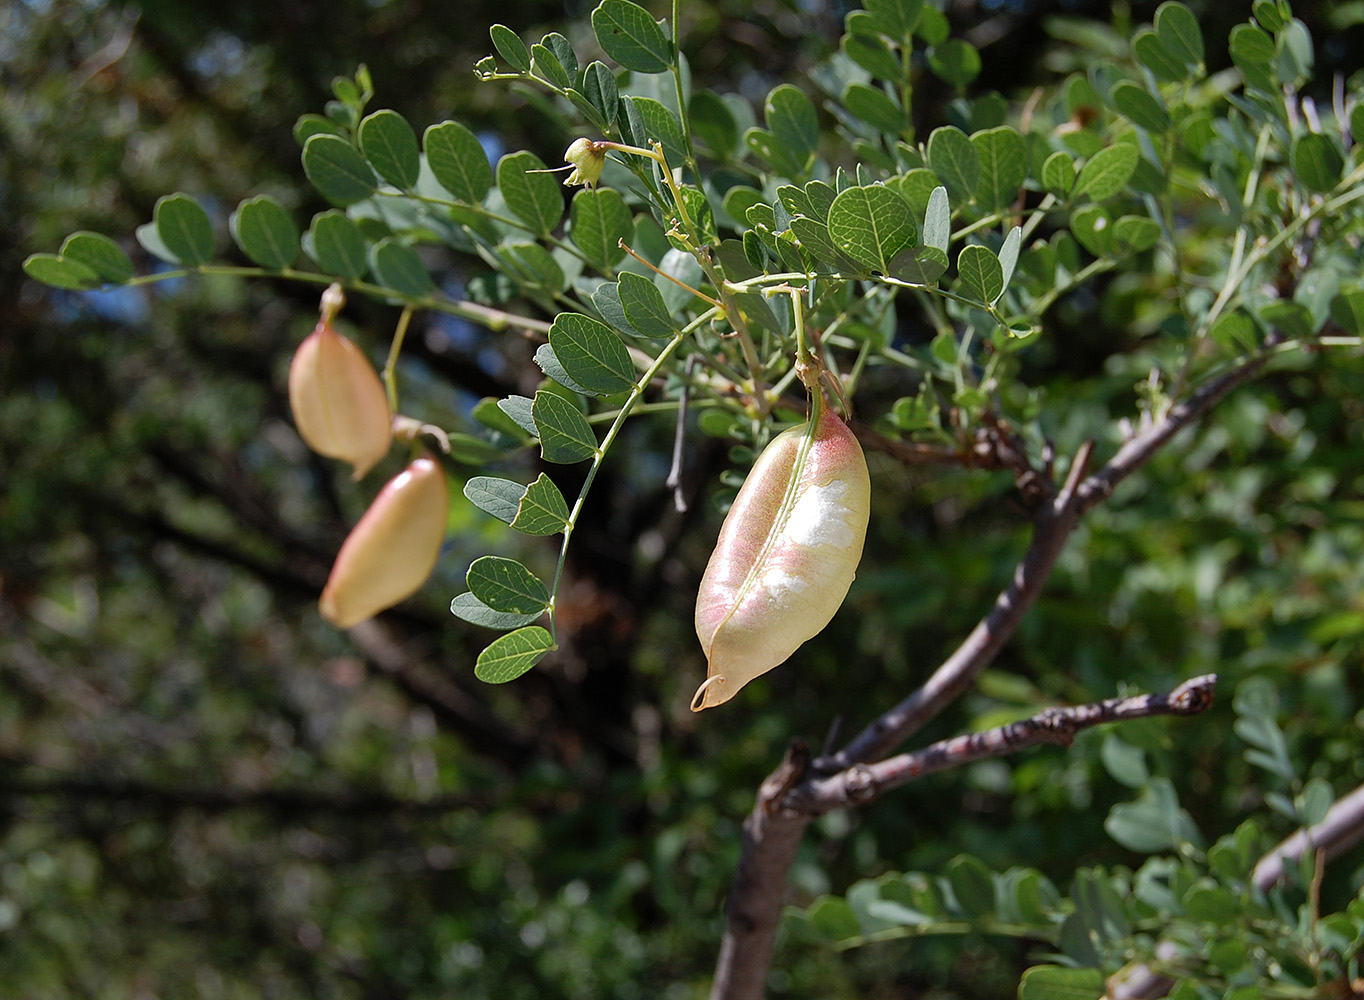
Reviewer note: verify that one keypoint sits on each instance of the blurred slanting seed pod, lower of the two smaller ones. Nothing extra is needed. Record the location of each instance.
(392, 550)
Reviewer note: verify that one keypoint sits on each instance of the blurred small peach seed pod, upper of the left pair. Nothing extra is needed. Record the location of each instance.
(339, 402)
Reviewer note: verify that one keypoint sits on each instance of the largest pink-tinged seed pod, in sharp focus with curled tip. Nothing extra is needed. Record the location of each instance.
(786, 557)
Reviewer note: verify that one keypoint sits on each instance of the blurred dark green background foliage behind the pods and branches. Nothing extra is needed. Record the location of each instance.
(207, 792)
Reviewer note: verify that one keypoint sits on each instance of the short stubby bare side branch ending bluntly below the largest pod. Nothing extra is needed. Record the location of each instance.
(861, 784)
